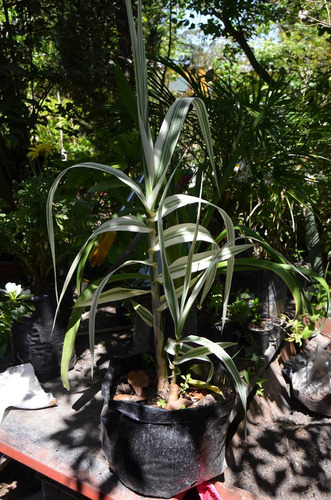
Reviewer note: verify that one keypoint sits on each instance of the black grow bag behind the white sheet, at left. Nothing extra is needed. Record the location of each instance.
(33, 340)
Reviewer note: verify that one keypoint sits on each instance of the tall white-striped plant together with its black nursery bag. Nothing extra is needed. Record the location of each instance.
(154, 451)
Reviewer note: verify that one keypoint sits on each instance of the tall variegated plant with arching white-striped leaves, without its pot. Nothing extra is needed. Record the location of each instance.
(176, 285)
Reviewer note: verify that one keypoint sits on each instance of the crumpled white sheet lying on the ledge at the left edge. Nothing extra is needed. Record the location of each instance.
(20, 388)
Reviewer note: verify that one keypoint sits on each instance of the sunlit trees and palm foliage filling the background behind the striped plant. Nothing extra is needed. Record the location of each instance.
(66, 78)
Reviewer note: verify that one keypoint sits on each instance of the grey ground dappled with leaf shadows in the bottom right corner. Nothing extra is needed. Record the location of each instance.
(287, 458)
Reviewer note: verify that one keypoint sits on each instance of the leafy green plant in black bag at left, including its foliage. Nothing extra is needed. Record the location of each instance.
(24, 237)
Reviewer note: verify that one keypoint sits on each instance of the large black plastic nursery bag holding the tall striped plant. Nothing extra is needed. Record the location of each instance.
(161, 453)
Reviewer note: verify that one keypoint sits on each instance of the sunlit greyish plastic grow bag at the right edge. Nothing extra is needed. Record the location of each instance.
(311, 380)
